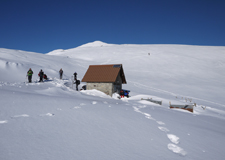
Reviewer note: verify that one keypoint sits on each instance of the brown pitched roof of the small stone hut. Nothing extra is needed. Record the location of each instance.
(104, 73)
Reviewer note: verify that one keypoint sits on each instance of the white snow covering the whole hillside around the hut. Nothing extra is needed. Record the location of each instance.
(52, 121)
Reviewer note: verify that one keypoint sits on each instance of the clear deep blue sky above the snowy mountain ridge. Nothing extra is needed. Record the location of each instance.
(45, 25)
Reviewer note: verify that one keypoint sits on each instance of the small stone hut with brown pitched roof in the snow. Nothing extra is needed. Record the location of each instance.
(105, 78)
